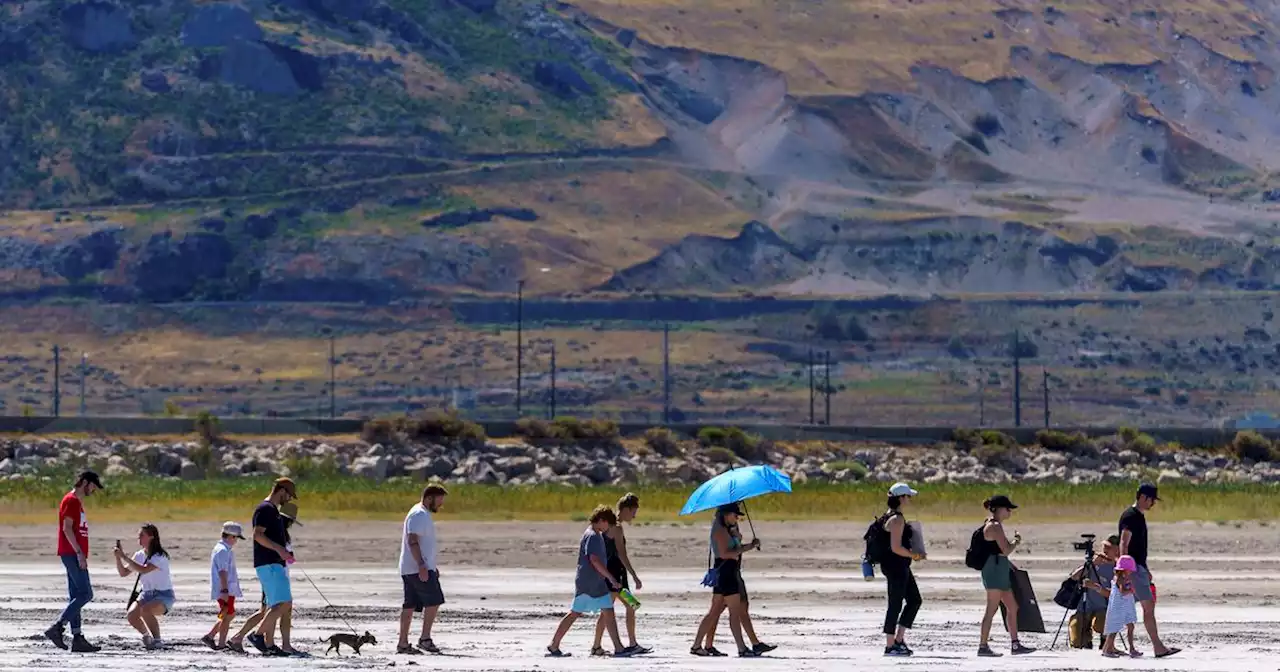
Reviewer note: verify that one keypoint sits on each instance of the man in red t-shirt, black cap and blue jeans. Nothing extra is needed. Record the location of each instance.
(74, 551)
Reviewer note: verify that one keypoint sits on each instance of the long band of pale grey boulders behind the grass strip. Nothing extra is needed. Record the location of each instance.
(527, 464)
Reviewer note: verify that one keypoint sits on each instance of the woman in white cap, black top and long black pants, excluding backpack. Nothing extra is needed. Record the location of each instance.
(904, 596)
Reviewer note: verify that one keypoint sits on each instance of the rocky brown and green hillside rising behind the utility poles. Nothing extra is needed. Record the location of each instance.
(372, 150)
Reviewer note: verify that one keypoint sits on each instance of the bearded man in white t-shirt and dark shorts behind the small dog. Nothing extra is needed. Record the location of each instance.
(419, 573)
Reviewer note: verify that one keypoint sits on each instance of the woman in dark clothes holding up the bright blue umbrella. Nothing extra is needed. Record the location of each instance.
(728, 591)
